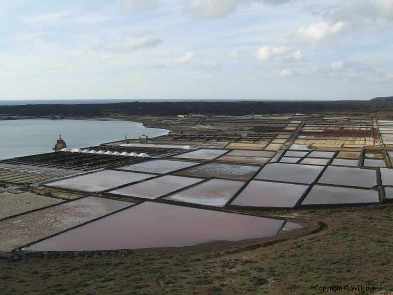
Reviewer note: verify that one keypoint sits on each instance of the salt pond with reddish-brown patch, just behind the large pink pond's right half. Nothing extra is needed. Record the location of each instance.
(214, 192)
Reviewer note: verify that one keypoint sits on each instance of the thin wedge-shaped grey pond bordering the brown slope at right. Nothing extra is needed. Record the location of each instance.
(333, 195)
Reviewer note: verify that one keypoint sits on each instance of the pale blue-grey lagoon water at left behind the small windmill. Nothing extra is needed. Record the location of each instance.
(26, 137)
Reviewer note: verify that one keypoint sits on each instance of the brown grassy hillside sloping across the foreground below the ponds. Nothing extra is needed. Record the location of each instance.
(353, 249)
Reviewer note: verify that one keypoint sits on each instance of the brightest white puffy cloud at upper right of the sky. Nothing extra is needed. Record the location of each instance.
(320, 30)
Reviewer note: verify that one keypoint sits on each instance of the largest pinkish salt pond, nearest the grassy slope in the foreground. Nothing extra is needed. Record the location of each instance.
(157, 225)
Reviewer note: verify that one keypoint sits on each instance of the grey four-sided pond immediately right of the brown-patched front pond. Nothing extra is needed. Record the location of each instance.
(270, 194)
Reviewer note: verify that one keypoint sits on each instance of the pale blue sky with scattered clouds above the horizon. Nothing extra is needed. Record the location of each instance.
(196, 49)
